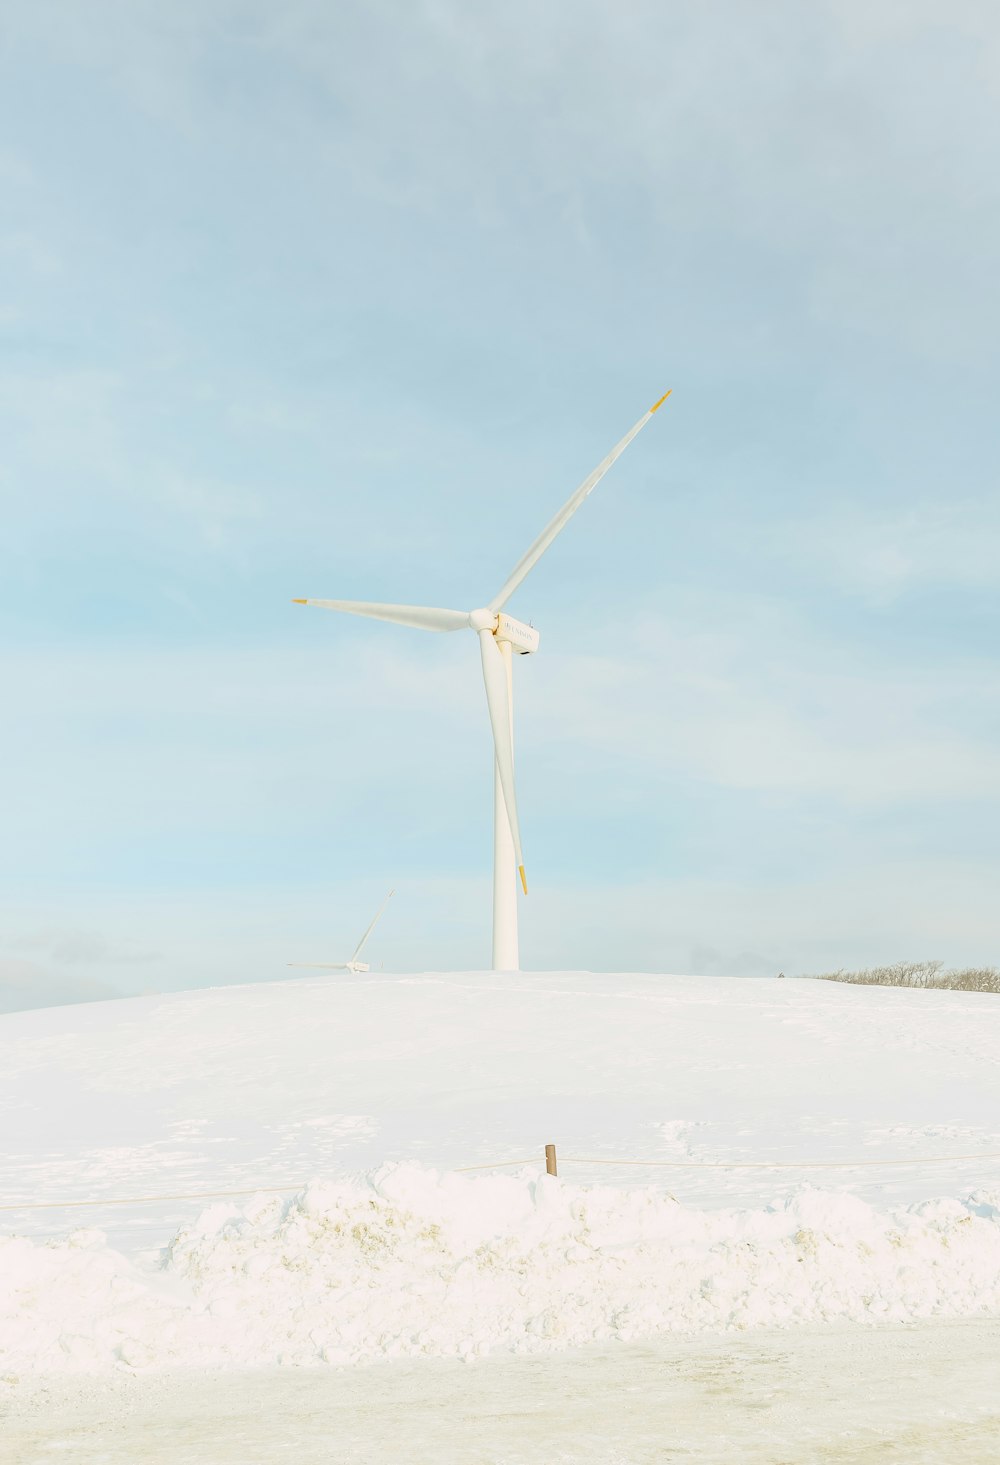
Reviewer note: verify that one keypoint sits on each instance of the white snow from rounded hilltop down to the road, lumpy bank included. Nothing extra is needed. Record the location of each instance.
(364, 1095)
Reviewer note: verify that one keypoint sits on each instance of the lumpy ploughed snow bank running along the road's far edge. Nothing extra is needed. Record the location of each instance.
(411, 1262)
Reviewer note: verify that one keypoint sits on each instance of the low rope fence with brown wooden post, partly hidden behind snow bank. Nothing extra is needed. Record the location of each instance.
(548, 1160)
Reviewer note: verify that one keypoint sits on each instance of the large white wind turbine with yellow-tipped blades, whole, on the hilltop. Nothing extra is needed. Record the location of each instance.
(500, 637)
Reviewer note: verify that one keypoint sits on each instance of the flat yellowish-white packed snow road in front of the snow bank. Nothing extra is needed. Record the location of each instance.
(919, 1395)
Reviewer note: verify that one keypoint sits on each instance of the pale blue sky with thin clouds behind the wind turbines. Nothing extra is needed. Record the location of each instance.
(345, 301)
